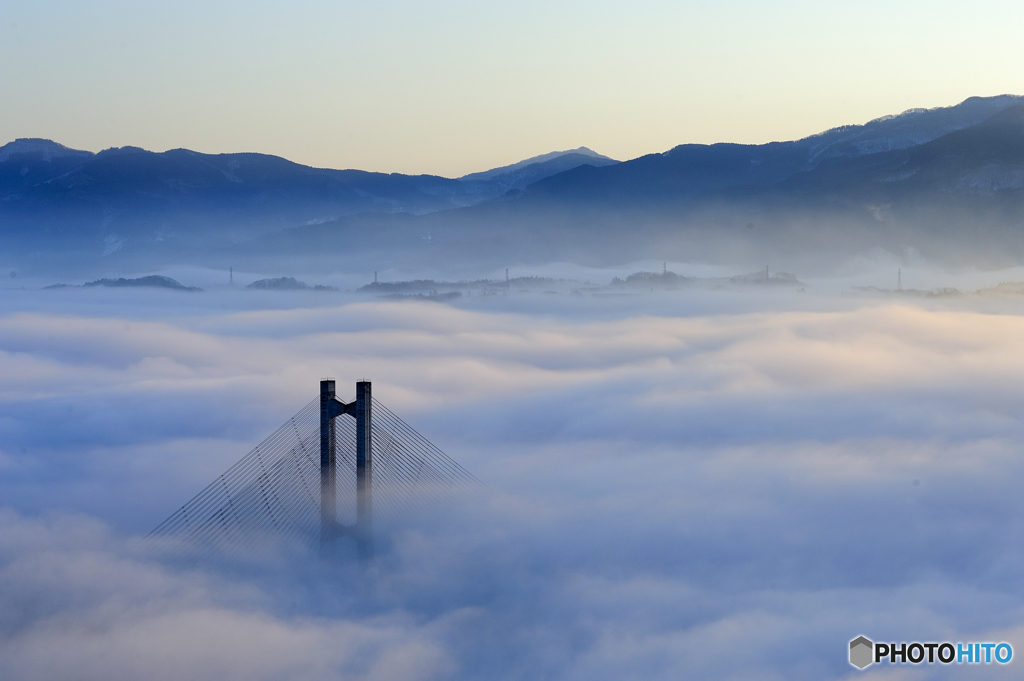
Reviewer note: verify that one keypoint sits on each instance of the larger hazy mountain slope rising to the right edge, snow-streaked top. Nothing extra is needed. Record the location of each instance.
(958, 198)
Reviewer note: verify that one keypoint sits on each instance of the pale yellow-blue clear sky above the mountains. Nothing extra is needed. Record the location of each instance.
(454, 88)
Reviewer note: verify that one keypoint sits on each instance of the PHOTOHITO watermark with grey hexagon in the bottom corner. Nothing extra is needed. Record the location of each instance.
(864, 652)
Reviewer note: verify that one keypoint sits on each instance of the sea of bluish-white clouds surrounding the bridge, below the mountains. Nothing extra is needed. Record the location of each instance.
(699, 485)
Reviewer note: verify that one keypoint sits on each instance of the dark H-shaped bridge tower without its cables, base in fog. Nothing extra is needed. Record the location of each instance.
(362, 411)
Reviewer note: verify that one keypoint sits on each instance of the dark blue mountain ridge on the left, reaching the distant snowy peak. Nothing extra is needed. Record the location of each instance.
(124, 198)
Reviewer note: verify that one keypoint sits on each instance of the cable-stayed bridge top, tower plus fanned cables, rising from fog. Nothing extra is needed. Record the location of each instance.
(331, 472)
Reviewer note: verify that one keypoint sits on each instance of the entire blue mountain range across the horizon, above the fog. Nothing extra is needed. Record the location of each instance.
(945, 182)
